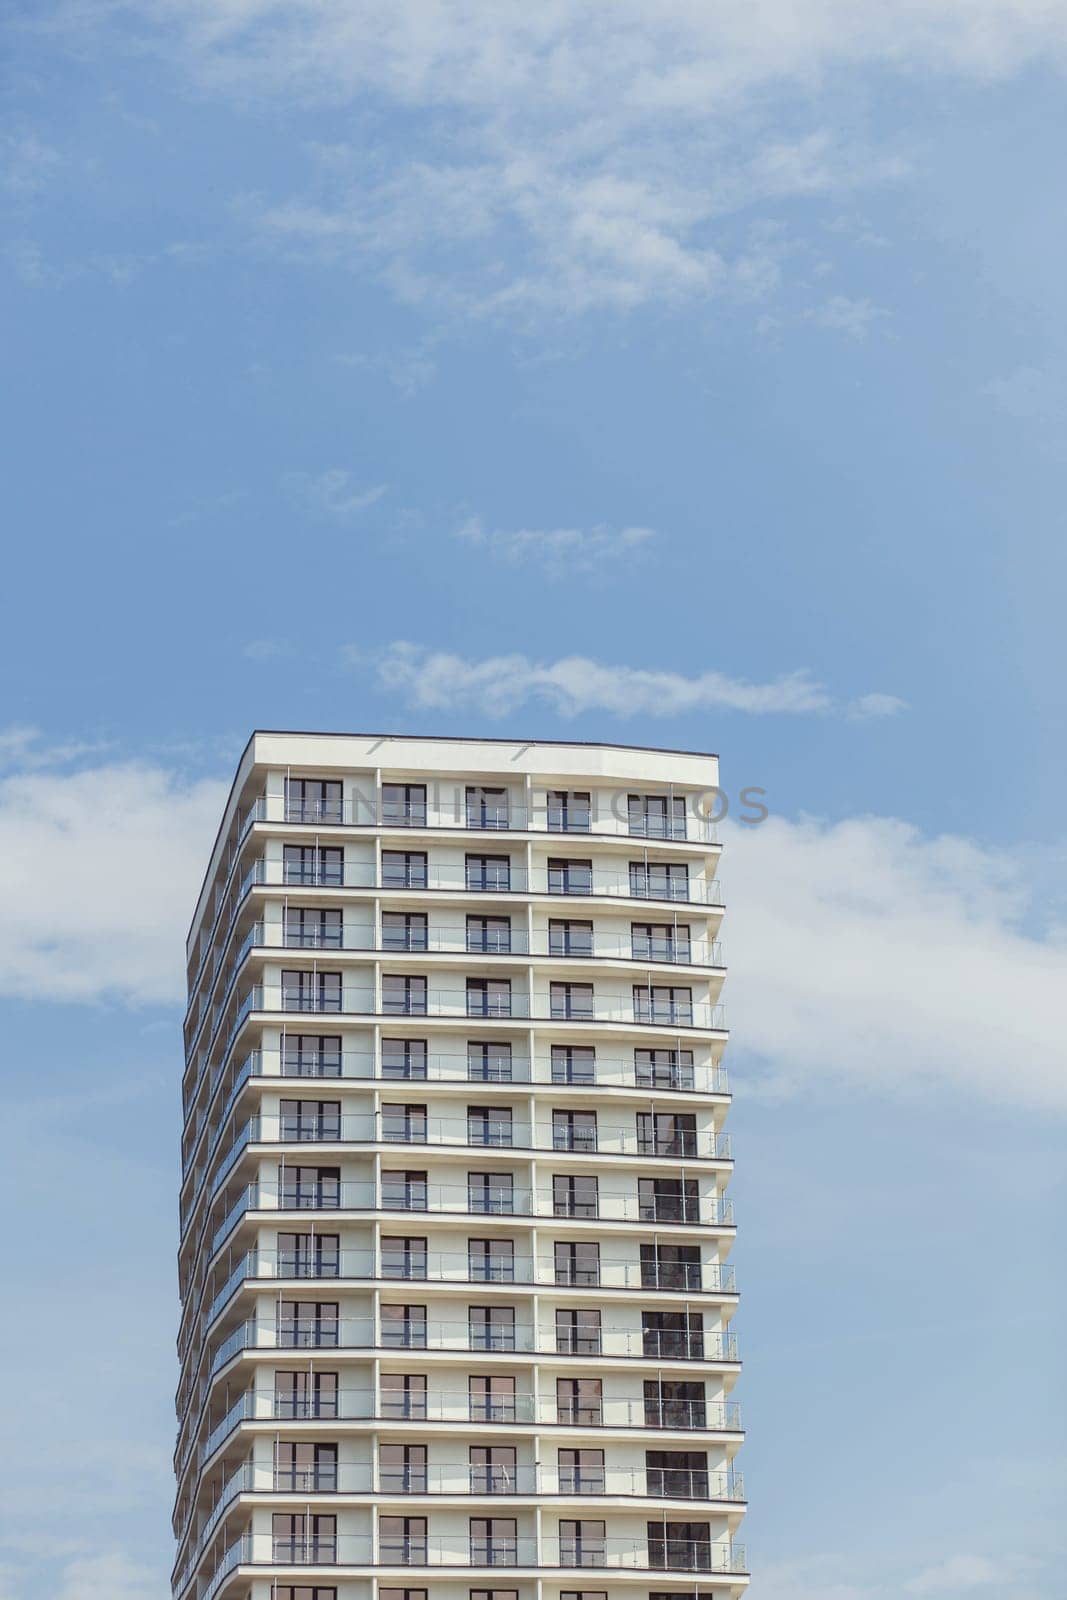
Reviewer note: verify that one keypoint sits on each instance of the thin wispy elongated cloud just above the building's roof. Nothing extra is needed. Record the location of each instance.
(497, 686)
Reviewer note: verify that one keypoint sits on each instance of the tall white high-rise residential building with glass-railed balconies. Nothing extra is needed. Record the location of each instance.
(455, 1231)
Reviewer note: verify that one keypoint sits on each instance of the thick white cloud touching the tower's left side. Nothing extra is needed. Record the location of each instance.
(98, 878)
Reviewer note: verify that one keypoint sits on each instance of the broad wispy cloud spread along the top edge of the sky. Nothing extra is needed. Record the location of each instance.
(577, 156)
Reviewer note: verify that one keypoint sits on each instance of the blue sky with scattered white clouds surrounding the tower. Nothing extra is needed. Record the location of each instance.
(690, 378)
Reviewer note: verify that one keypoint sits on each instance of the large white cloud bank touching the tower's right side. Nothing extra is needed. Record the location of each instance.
(866, 953)
